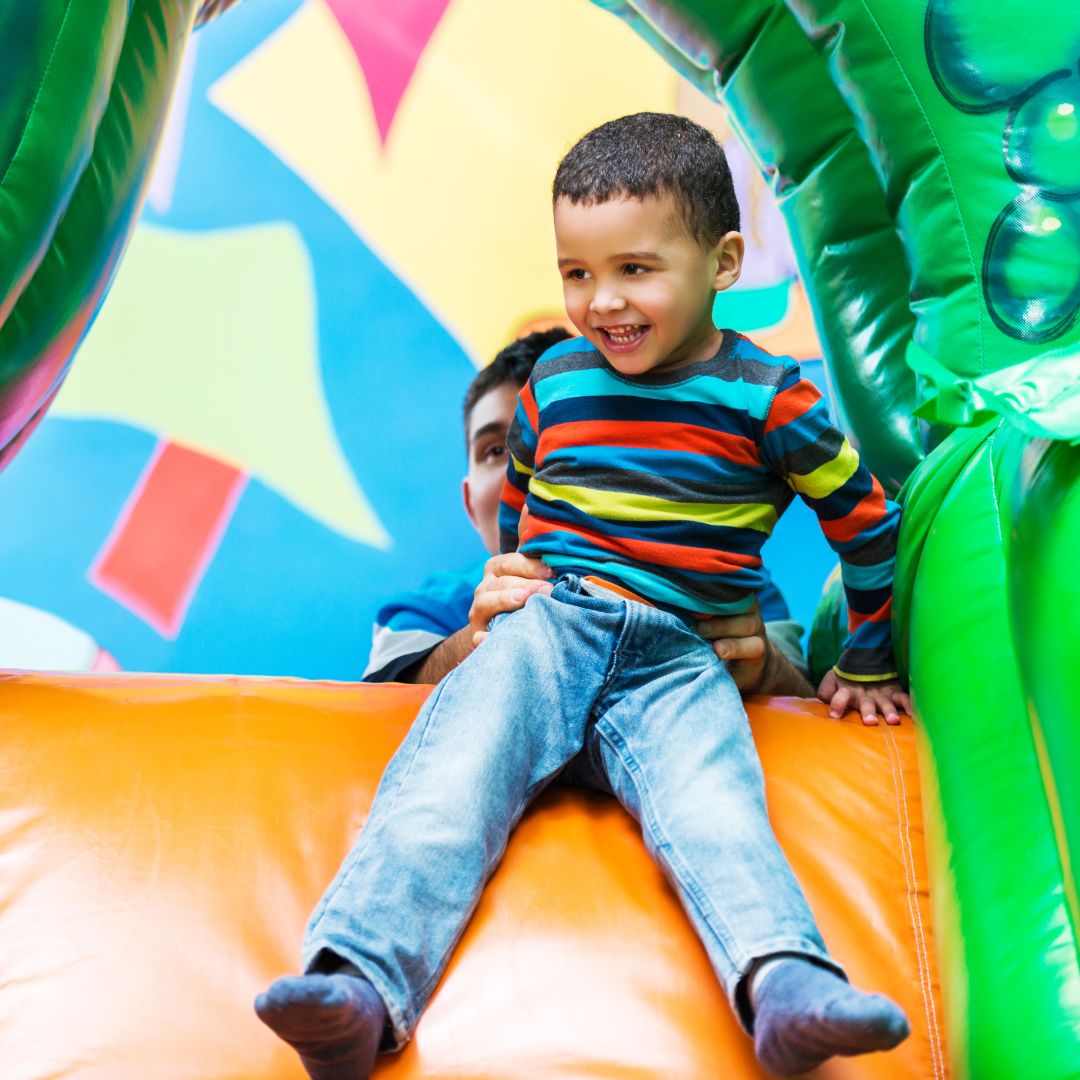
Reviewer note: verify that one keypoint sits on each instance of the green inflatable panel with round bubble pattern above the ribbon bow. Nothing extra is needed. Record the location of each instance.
(976, 139)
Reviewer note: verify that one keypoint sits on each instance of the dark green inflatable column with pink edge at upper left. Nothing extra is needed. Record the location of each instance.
(89, 88)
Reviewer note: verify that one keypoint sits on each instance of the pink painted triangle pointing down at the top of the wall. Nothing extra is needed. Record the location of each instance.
(388, 37)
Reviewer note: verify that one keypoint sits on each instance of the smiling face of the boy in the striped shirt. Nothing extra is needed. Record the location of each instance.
(638, 286)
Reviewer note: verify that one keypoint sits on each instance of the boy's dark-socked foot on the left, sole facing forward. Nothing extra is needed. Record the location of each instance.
(334, 1022)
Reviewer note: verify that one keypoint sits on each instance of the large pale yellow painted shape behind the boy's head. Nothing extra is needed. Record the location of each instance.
(458, 202)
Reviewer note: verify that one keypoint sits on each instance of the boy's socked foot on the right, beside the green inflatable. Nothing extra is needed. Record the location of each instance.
(805, 1015)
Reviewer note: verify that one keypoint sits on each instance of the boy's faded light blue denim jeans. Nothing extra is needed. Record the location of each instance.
(609, 693)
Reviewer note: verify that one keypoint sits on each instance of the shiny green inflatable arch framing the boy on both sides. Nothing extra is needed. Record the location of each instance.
(927, 157)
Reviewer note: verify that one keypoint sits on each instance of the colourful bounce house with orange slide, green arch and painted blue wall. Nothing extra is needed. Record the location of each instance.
(165, 836)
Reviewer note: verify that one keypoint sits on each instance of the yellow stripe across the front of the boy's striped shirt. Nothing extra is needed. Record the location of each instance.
(627, 507)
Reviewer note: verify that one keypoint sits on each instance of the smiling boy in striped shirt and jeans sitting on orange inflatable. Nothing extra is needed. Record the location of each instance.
(654, 455)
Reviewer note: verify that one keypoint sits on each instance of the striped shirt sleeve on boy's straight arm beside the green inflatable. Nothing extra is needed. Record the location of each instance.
(818, 463)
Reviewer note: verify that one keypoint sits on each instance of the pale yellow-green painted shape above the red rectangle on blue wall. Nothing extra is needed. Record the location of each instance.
(210, 341)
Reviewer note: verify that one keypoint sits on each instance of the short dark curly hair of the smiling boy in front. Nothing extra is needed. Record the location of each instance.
(652, 154)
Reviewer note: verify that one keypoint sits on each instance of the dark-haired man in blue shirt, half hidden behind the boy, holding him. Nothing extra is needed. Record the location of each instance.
(423, 636)
